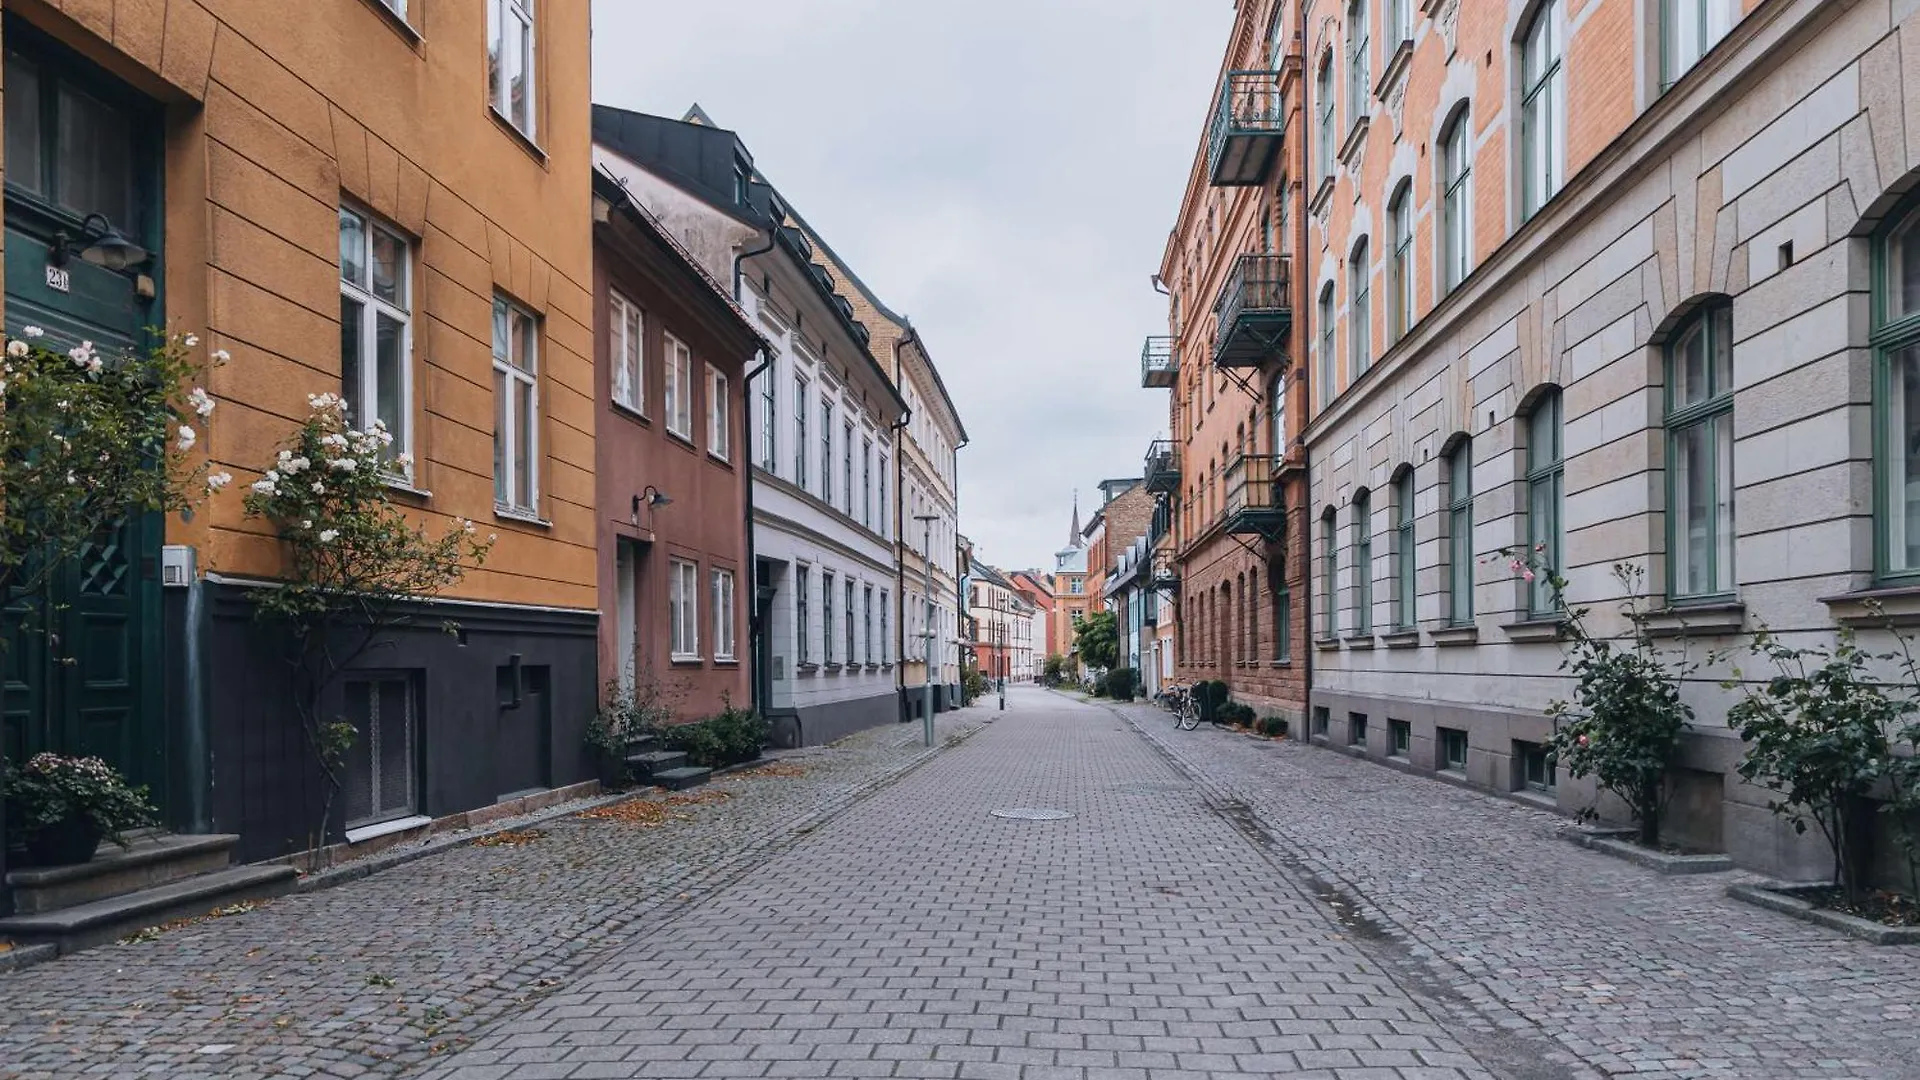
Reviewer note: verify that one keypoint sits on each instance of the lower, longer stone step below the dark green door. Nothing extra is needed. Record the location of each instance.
(107, 920)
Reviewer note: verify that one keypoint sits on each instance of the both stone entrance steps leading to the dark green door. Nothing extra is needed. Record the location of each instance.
(124, 891)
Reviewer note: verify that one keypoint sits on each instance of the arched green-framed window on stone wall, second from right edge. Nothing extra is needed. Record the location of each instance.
(1700, 456)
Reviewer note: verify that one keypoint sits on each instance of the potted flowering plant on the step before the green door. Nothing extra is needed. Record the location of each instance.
(60, 808)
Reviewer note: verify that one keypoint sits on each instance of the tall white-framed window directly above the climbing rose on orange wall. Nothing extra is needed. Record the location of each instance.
(377, 326)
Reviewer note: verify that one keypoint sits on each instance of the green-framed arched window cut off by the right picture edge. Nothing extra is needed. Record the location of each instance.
(1898, 395)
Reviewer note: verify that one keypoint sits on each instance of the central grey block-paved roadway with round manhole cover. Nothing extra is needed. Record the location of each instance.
(1143, 939)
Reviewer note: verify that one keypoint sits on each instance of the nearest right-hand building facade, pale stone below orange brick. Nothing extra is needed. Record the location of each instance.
(1650, 314)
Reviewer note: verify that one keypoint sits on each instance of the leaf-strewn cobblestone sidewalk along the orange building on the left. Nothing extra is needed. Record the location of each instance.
(406, 966)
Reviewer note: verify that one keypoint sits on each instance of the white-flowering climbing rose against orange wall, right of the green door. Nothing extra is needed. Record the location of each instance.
(356, 566)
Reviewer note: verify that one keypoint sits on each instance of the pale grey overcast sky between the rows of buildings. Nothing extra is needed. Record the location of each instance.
(1003, 172)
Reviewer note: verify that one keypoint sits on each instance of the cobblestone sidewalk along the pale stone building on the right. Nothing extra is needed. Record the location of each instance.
(1631, 971)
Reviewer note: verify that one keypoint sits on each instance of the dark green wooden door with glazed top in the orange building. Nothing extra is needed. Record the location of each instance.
(84, 652)
